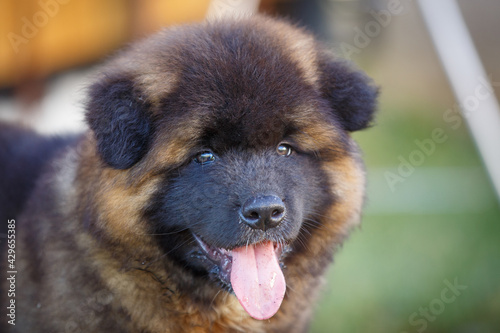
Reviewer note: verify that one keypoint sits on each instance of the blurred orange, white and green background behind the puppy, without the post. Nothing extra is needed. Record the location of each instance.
(427, 257)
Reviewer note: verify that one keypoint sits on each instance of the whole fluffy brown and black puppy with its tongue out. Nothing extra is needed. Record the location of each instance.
(209, 195)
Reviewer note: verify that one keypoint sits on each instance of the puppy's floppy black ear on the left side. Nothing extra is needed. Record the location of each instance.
(117, 114)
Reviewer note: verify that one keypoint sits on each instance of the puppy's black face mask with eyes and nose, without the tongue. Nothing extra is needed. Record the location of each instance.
(234, 197)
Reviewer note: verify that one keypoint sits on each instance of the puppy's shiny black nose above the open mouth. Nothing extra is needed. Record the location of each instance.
(264, 212)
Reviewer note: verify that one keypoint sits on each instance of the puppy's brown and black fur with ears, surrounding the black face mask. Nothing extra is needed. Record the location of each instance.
(89, 259)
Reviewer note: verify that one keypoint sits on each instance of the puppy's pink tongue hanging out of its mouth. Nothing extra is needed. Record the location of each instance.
(257, 279)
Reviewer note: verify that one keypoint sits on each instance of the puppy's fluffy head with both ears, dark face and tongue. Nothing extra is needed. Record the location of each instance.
(243, 122)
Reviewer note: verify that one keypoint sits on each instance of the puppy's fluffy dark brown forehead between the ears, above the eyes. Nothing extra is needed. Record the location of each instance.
(245, 82)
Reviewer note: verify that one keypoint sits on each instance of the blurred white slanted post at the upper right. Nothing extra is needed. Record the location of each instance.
(470, 83)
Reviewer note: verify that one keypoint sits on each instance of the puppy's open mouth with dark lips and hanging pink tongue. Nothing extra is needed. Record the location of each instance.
(253, 272)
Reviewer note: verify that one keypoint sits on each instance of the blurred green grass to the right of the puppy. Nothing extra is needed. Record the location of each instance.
(441, 223)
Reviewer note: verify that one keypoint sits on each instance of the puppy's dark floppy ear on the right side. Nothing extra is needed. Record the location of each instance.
(350, 93)
